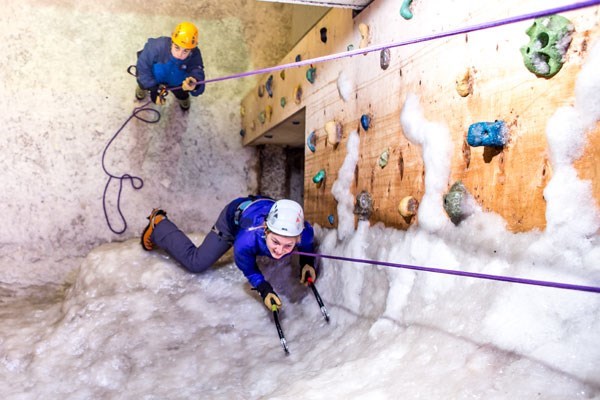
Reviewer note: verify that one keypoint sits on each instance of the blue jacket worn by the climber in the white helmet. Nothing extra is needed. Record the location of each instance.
(250, 240)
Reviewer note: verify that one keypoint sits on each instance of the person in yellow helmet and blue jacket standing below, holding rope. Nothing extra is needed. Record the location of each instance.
(171, 62)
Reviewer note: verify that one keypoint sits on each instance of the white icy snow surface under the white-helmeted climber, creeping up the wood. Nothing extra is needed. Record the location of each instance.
(130, 324)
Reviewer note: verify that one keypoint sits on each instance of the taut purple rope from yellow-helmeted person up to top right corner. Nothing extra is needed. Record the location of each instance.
(472, 28)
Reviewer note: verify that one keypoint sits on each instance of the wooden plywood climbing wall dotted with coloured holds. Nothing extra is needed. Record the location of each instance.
(461, 80)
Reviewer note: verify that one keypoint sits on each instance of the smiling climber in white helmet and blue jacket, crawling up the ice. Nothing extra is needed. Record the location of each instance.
(254, 226)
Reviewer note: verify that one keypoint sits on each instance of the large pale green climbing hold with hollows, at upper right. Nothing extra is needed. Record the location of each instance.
(549, 40)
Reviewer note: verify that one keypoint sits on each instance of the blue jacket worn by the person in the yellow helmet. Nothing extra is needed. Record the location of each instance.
(156, 65)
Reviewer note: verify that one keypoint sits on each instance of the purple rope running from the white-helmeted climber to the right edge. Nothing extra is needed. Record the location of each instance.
(524, 281)
